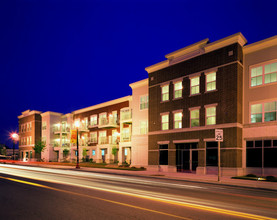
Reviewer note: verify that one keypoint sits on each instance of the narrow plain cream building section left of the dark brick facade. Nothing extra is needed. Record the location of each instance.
(139, 117)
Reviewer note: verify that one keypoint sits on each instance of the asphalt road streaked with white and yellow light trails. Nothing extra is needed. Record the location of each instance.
(44, 193)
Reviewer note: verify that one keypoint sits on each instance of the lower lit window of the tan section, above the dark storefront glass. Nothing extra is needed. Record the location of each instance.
(263, 112)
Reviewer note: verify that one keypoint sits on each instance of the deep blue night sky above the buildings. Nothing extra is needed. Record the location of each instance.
(62, 55)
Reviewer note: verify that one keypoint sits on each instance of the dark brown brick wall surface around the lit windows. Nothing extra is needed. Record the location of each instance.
(228, 98)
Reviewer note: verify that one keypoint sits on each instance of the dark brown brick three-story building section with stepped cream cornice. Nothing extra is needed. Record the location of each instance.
(196, 90)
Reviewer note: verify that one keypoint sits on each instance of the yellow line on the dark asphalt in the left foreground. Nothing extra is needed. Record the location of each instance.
(94, 197)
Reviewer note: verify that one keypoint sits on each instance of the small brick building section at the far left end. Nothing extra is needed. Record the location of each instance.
(29, 123)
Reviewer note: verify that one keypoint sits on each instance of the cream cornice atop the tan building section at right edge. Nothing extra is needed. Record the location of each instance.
(269, 42)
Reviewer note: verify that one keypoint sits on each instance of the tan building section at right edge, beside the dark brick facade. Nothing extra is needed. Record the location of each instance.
(259, 103)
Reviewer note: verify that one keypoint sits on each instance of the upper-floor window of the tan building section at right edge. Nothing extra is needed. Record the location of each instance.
(263, 74)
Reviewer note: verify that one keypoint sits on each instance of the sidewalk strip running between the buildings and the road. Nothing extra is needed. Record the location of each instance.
(176, 176)
